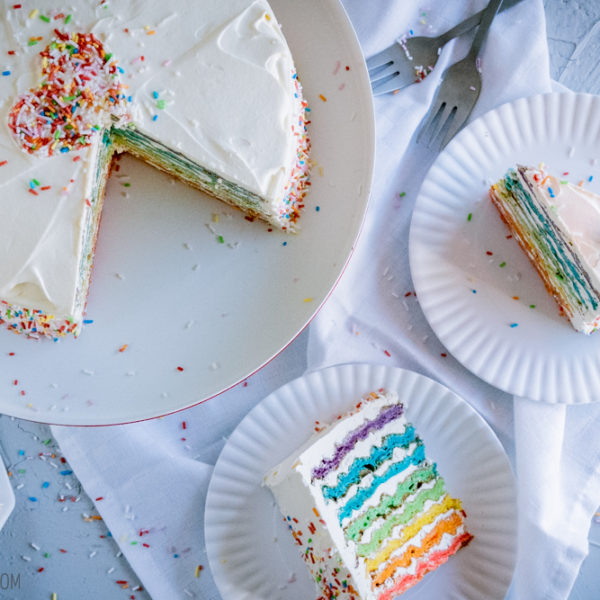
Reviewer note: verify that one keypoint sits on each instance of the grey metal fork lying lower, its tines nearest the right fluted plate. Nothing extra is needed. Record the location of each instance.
(459, 91)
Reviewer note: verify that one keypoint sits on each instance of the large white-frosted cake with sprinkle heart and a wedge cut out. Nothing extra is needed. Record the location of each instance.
(205, 90)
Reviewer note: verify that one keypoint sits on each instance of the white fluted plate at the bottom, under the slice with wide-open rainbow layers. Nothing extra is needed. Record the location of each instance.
(253, 556)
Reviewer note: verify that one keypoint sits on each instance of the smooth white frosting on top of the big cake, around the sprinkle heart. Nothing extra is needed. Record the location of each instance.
(225, 73)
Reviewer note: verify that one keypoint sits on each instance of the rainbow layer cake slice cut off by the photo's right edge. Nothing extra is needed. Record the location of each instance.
(556, 224)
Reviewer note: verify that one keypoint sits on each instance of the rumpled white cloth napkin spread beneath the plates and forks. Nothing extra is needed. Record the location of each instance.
(152, 480)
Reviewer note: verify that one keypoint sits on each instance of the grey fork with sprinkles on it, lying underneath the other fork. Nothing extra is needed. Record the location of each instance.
(411, 59)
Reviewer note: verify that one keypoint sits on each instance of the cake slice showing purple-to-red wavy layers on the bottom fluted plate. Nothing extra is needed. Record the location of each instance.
(368, 510)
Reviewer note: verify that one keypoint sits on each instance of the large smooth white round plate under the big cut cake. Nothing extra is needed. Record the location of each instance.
(164, 285)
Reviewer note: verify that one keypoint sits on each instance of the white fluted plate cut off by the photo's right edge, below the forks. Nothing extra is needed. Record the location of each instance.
(476, 287)
